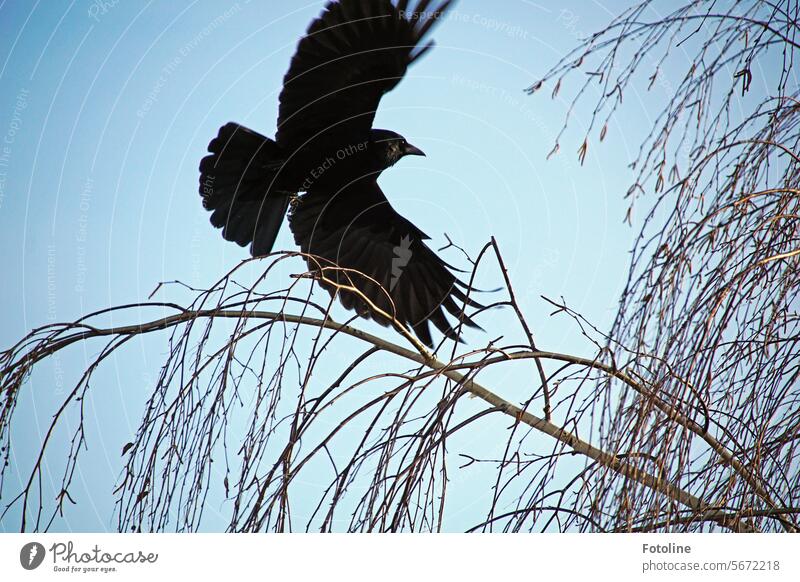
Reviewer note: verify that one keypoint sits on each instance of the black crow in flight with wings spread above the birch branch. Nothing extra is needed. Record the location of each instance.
(326, 159)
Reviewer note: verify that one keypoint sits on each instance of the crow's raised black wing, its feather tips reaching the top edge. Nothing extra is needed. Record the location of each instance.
(356, 51)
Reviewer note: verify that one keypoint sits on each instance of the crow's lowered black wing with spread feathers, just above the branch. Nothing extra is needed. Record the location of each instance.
(357, 229)
